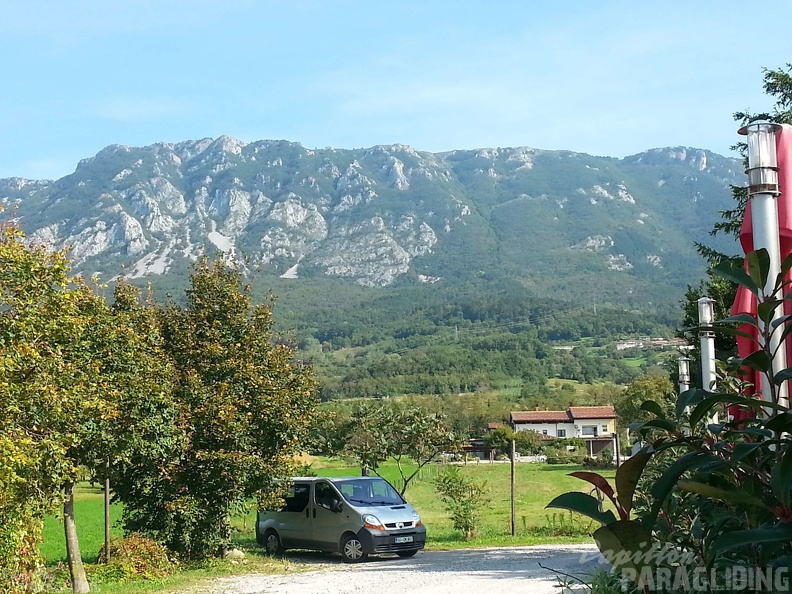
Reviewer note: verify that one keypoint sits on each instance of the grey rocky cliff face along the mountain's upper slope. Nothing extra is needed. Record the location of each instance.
(374, 215)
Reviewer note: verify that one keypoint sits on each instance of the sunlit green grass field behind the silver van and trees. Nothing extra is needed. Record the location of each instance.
(536, 485)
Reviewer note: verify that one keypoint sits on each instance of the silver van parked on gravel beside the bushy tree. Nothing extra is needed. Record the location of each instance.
(355, 516)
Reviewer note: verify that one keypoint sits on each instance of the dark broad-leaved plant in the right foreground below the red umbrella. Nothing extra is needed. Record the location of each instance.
(719, 494)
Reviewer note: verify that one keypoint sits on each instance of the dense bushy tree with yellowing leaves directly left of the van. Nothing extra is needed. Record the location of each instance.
(244, 408)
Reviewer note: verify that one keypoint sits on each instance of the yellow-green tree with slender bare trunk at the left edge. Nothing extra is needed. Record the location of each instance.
(76, 378)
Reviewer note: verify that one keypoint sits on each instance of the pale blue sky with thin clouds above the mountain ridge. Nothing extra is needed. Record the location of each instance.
(607, 78)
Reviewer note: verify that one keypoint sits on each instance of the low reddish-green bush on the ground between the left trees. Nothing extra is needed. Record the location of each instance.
(133, 557)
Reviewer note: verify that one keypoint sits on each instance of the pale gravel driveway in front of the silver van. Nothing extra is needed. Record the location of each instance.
(513, 570)
